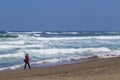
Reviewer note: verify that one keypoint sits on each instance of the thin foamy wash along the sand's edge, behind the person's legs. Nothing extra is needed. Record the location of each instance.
(59, 63)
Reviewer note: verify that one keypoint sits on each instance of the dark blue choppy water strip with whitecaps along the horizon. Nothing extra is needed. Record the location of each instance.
(57, 34)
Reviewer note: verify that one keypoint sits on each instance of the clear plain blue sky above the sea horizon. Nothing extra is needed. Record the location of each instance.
(59, 15)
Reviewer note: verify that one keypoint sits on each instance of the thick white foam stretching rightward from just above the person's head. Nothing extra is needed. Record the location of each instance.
(55, 51)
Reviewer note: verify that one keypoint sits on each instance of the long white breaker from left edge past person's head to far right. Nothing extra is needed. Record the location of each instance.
(56, 52)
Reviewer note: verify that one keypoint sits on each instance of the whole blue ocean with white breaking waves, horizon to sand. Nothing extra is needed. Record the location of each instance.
(55, 47)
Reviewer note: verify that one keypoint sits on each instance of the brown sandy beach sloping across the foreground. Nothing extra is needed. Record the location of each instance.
(97, 69)
